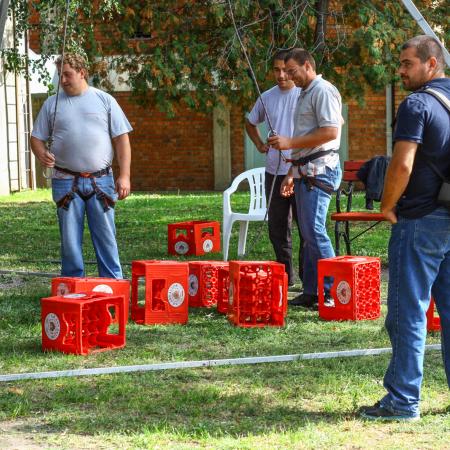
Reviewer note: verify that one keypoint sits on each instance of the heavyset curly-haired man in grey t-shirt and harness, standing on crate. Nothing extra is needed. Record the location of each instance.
(75, 134)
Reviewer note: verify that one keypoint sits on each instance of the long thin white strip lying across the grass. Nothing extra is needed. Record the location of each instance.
(195, 364)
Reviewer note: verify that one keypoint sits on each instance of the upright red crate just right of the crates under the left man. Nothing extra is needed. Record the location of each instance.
(165, 298)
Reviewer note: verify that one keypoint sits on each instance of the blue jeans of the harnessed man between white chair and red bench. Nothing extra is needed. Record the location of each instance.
(312, 209)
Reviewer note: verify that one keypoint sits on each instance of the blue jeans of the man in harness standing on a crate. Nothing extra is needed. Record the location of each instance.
(100, 222)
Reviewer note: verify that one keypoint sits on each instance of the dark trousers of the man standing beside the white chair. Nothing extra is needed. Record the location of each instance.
(281, 212)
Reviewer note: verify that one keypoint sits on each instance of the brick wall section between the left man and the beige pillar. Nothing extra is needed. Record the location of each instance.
(169, 153)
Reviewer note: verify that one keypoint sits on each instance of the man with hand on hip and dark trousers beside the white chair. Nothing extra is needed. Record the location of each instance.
(280, 103)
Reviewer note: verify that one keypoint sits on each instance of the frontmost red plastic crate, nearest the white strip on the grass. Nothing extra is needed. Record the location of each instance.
(78, 323)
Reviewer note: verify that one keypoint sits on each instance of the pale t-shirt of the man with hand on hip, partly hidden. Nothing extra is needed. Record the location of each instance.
(280, 106)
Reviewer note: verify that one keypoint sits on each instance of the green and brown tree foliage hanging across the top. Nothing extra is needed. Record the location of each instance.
(174, 51)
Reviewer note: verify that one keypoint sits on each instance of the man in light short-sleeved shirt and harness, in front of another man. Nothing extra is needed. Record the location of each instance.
(317, 172)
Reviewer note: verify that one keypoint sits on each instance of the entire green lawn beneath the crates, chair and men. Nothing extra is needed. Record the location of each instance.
(303, 404)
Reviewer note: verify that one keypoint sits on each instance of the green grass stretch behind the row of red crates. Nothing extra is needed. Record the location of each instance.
(30, 236)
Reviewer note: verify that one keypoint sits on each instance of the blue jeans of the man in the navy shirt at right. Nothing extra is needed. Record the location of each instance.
(419, 265)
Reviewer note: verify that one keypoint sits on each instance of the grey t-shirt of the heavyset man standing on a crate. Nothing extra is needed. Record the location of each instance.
(84, 127)
